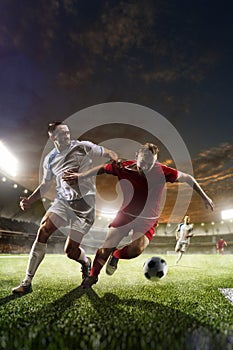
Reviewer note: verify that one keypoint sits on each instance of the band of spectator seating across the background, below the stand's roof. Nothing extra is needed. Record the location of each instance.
(17, 237)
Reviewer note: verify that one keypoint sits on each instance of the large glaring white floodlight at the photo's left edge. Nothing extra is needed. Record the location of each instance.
(8, 163)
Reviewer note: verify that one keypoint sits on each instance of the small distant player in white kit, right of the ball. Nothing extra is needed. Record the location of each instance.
(183, 234)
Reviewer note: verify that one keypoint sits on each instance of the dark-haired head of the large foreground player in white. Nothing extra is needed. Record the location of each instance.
(59, 133)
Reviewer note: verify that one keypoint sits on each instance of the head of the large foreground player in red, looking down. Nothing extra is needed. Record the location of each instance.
(146, 157)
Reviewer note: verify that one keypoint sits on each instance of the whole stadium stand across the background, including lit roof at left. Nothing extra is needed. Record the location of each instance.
(18, 229)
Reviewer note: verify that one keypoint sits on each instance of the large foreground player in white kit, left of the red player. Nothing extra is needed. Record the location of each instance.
(74, 206)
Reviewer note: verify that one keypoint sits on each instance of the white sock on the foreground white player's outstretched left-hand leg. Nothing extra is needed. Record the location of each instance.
(37, 254)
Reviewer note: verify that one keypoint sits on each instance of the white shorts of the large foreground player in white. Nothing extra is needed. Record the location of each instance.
(79, 215)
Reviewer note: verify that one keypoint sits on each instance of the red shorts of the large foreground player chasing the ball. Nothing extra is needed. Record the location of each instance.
(137, 224)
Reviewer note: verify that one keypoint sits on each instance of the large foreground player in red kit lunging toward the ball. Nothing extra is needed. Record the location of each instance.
(142, 182)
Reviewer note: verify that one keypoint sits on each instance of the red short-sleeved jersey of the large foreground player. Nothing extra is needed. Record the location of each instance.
(142, 192)
